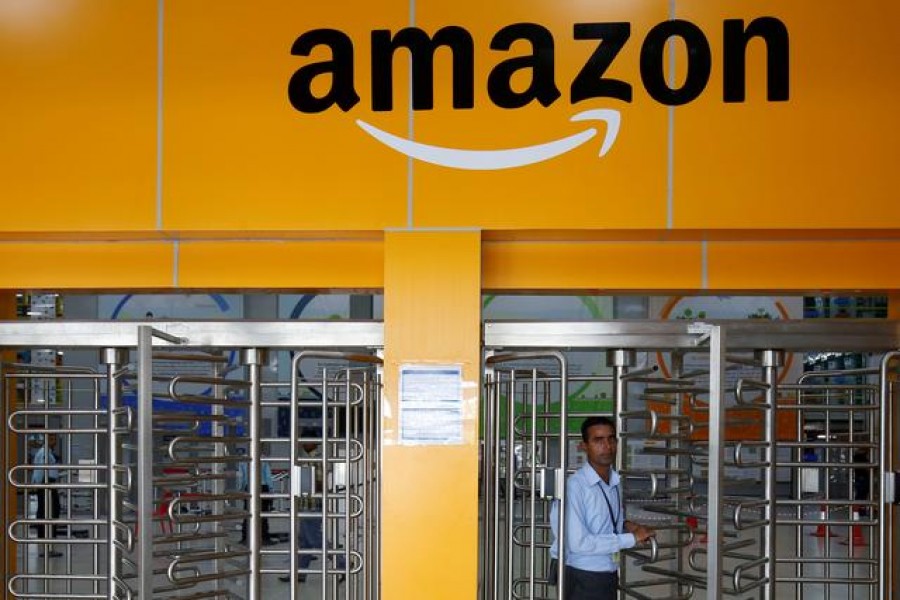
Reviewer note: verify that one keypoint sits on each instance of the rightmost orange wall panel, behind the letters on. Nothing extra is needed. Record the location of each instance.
(823, 159)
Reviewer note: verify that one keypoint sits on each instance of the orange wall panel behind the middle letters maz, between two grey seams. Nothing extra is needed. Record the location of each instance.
(626, 188)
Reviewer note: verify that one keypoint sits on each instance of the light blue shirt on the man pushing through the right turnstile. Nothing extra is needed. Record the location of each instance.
(591, 538)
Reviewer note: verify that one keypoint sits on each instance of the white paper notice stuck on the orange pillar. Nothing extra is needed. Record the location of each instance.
(430, 404)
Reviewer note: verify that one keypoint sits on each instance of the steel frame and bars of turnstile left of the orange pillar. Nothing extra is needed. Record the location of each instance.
(129, 433)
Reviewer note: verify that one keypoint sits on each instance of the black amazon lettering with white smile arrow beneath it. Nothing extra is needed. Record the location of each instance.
(538, 68)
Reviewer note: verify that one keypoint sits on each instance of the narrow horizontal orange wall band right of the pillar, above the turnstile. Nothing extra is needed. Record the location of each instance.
(742, 266)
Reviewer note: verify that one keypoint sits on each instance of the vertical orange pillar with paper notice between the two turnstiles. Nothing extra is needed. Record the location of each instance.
(432, 317)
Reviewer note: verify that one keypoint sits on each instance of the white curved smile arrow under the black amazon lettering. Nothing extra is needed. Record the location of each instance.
(491, 160)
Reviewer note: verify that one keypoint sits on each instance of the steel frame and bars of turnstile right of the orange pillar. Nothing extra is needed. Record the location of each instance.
(508, 342)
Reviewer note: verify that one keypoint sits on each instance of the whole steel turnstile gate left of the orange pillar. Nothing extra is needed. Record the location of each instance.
(189, 465)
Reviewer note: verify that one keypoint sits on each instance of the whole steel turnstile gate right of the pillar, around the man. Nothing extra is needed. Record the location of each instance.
(759, 484)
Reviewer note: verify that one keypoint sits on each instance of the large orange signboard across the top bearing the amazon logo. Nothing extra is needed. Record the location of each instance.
(225, 116)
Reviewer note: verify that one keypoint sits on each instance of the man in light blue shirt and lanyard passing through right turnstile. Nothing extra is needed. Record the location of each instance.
(596, 528)
